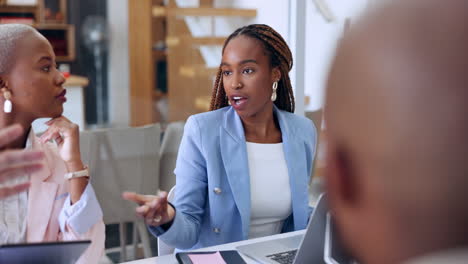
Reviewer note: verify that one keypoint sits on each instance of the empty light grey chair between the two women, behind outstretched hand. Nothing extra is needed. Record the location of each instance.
(123, 159)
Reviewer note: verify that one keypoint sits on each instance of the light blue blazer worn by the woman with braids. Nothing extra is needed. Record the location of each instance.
(212, 198)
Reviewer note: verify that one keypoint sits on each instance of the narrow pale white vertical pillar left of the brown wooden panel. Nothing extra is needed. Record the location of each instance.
(119, 93)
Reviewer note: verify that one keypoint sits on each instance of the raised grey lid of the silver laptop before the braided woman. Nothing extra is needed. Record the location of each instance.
(312, 245)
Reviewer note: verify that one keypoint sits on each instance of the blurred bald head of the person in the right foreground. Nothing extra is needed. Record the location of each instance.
(397, 121)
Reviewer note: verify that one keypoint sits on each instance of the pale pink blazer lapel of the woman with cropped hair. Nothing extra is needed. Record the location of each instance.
(41, 197)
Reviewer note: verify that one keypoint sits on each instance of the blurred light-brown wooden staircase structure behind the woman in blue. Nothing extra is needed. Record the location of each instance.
(189, 80)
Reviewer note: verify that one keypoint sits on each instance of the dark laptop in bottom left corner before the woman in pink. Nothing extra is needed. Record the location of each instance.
(64, 252)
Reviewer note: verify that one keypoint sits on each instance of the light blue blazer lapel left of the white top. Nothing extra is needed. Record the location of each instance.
(234, 156)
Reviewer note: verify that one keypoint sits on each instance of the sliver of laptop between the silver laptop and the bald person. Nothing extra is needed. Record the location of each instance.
(334, 252)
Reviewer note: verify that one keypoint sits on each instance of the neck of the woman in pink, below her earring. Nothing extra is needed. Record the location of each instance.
(8, 119)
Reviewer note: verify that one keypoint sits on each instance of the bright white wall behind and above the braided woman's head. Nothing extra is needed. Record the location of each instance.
(321, 36)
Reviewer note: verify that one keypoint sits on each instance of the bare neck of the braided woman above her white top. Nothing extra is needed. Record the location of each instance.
(261, 128)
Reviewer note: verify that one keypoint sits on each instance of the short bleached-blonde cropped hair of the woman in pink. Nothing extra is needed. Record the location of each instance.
(10, 36)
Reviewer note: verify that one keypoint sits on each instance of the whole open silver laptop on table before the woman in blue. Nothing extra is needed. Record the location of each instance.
(307, 248)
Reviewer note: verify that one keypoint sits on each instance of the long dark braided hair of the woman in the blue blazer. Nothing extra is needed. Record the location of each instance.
(280, 56)
